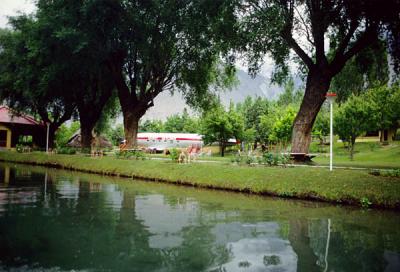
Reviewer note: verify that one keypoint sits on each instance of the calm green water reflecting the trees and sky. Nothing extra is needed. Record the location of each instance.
(53, 220)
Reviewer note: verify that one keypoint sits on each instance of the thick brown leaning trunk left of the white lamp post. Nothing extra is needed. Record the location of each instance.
(316, 88)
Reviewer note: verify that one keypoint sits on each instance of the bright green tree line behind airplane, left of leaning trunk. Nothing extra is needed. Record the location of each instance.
(254, 121)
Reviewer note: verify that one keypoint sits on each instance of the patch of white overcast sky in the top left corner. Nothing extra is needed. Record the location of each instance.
(12, 7)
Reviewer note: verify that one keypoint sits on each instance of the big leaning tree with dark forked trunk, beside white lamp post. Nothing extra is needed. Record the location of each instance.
(322, 35)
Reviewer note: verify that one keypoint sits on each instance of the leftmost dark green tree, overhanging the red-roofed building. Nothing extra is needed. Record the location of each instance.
(25, 73)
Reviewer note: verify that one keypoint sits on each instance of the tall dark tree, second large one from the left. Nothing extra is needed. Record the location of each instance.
(77, 49)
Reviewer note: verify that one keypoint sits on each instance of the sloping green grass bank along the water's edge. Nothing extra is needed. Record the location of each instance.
(339, 186)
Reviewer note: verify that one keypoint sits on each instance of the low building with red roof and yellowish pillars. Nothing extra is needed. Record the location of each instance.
(13, 126)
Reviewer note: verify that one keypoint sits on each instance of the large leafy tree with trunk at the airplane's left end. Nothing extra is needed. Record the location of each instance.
(162, 46)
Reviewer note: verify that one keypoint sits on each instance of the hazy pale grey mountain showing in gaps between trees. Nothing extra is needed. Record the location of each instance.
(166, 105)
